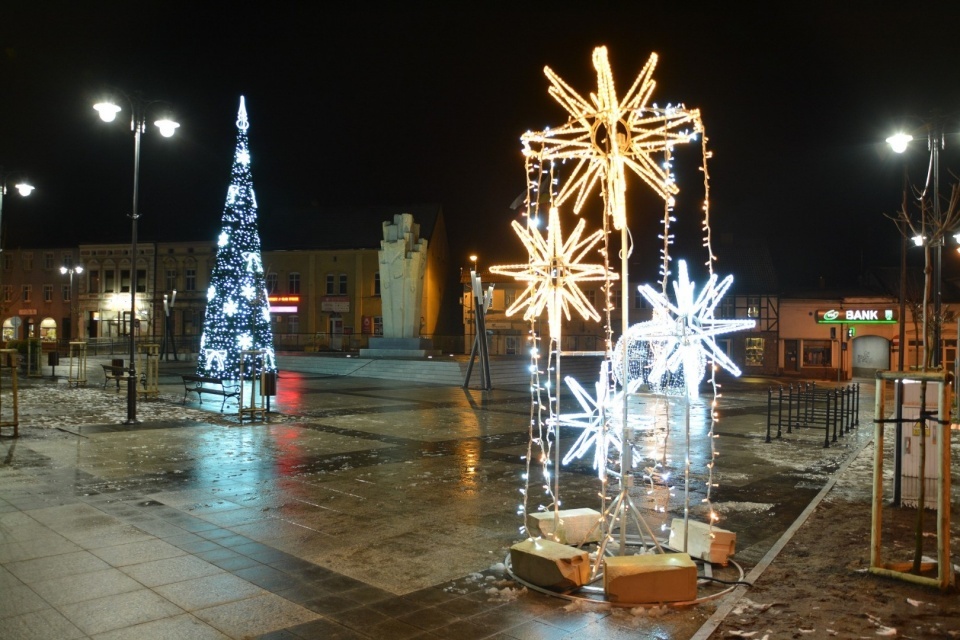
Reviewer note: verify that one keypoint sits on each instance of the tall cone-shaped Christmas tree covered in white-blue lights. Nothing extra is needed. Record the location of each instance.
(238, 312)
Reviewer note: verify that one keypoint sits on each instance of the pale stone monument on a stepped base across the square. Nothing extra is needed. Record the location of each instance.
(403, 263)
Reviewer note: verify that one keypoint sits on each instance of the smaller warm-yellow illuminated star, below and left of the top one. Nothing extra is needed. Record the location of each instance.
(554, 272)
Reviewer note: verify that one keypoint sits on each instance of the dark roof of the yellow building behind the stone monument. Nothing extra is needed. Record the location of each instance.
(351, 227)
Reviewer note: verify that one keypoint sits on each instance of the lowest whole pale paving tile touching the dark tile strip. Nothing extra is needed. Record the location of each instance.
(255, 616)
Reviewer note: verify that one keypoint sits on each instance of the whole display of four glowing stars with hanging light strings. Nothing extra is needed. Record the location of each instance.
(605, 136)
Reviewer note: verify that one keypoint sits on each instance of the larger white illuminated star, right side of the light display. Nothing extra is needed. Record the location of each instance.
(682, 335)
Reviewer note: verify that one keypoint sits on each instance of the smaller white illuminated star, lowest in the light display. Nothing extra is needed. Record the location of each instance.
(598, 420)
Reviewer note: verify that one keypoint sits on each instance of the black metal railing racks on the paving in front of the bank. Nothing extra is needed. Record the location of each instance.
(804, 405)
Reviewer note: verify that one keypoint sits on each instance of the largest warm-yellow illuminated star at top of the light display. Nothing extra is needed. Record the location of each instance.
(606, 135)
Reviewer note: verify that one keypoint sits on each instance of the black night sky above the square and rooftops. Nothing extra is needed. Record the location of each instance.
(380, 104)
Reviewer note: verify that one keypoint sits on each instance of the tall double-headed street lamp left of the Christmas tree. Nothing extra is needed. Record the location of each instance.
(138, 124)
